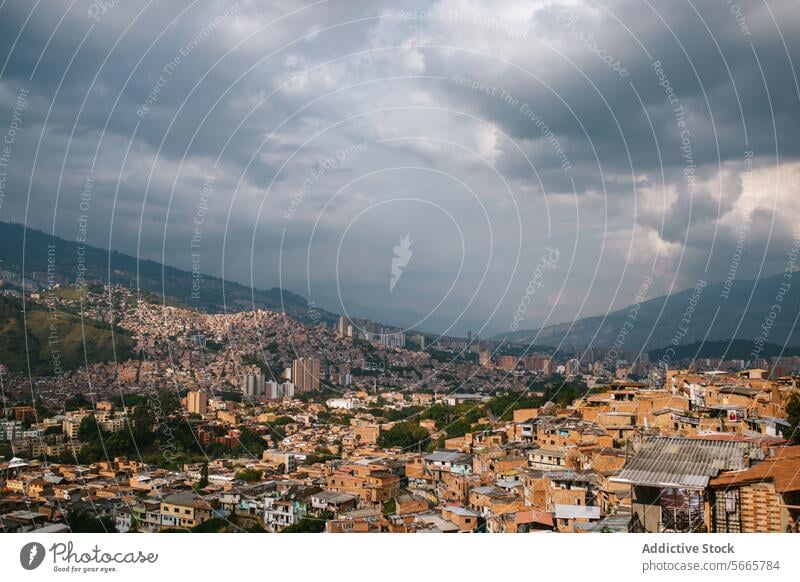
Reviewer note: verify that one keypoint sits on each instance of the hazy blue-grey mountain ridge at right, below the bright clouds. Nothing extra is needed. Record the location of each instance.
(699, 314)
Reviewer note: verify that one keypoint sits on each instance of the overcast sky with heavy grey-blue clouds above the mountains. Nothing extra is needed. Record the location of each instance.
(551, 154)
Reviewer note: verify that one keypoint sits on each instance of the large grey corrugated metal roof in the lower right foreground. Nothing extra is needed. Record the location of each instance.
(681, 462)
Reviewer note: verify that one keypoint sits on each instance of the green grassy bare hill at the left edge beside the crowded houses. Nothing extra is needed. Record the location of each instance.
(74, 343)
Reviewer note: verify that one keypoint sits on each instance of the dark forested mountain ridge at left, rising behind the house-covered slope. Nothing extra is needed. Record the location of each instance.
(152, 276)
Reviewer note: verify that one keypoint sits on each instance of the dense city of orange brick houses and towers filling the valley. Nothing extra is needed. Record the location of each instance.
(256, 422)
